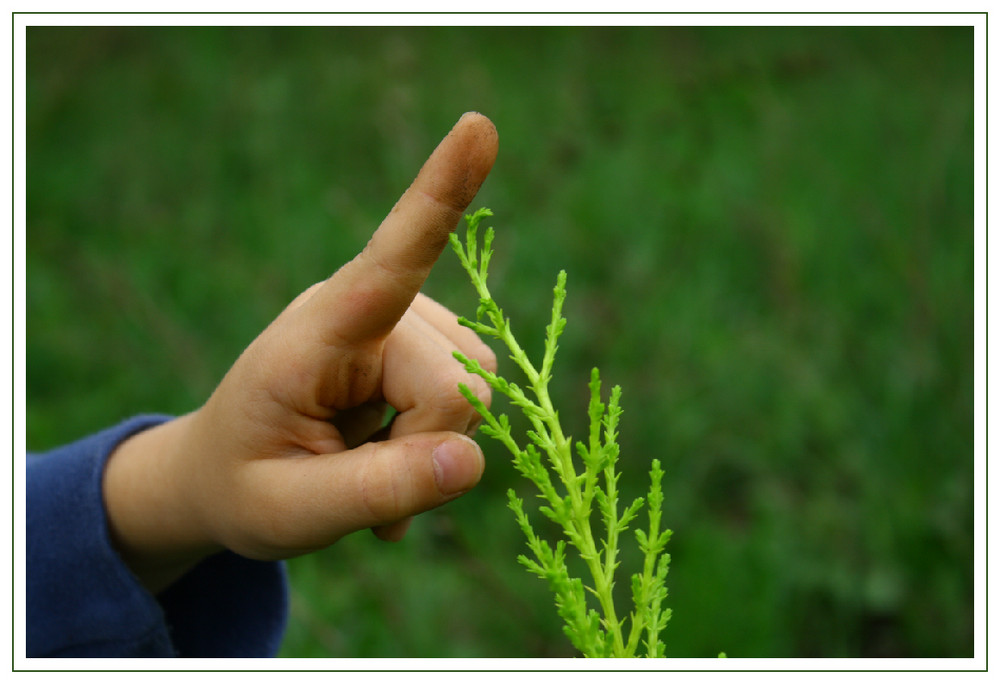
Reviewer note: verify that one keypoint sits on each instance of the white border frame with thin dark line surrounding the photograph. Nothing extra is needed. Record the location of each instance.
(981, 333)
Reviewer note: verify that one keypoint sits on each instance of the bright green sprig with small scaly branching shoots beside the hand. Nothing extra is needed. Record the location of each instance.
(574, 494)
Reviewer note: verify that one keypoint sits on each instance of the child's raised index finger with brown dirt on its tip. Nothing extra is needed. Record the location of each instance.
(368, 295)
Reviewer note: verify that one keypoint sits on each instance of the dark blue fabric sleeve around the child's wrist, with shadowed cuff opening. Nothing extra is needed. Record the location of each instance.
(82, 600)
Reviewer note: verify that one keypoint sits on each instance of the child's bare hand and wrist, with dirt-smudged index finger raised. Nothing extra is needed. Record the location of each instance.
(287, 456)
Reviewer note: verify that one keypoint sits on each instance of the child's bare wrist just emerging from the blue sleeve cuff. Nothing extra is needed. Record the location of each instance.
(151, 520)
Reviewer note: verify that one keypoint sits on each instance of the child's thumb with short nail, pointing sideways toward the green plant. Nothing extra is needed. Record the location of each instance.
(373, 485)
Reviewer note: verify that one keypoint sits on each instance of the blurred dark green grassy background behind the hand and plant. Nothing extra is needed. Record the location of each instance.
(768, 234)
